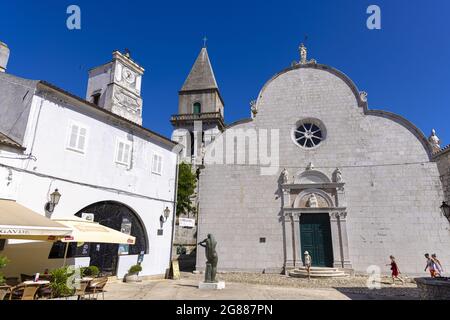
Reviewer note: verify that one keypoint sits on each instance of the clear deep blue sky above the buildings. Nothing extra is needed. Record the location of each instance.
(404, 66)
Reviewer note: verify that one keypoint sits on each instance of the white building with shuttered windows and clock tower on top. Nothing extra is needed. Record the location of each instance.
(101, 160)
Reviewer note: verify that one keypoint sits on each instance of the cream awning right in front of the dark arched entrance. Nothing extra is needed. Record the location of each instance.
(88, 231)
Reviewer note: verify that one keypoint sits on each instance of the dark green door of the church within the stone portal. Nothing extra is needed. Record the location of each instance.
(315, 237)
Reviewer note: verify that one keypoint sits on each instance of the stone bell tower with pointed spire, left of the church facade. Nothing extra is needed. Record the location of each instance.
(199, 102)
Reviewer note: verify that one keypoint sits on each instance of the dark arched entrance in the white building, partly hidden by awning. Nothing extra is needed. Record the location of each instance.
(120, 217)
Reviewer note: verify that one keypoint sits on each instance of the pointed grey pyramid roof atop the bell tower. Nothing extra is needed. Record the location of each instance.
(202, 75)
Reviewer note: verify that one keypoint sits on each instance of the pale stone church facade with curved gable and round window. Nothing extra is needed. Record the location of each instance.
(359, 185)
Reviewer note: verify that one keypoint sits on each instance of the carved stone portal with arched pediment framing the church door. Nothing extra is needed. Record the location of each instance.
(314, 199)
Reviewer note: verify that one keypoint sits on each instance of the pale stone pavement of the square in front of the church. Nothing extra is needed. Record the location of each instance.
(253, 286)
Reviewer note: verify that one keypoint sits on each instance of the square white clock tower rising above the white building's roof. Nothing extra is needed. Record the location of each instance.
(116, 87)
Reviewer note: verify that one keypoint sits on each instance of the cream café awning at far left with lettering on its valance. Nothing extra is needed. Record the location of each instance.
(19, 222)
